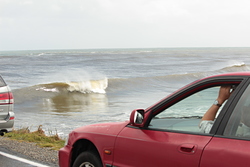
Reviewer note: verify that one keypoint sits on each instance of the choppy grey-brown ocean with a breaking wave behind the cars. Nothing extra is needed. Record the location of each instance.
(65, 89)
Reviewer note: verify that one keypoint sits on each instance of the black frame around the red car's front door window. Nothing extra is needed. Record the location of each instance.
(190, 90)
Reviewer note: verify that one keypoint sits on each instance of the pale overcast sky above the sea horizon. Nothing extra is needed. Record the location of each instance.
(83, 24)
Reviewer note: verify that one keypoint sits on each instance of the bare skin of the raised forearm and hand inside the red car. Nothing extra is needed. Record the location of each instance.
(224, 94)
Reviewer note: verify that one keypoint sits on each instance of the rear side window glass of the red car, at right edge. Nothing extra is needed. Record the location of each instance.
(239, 122)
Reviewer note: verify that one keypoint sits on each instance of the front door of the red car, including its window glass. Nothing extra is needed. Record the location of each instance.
(172, 136)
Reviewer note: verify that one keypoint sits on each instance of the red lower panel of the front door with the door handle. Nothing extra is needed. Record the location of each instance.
(157, 148)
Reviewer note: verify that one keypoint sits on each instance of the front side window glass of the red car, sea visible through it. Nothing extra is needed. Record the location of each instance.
(187, 113)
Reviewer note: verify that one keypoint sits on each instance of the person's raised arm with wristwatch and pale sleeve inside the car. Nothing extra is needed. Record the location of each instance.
(208, 118)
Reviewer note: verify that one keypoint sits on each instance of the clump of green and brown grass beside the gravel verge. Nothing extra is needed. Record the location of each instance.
(37, 137)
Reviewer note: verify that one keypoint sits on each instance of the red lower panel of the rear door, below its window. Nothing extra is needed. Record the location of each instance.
(226, 152)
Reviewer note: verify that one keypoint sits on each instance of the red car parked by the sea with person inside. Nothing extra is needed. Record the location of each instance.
(169, 133)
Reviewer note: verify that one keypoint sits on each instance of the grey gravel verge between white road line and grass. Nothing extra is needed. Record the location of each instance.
(30, 151)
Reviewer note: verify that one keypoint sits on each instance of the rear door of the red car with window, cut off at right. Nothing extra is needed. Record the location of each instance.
(230, 146)
